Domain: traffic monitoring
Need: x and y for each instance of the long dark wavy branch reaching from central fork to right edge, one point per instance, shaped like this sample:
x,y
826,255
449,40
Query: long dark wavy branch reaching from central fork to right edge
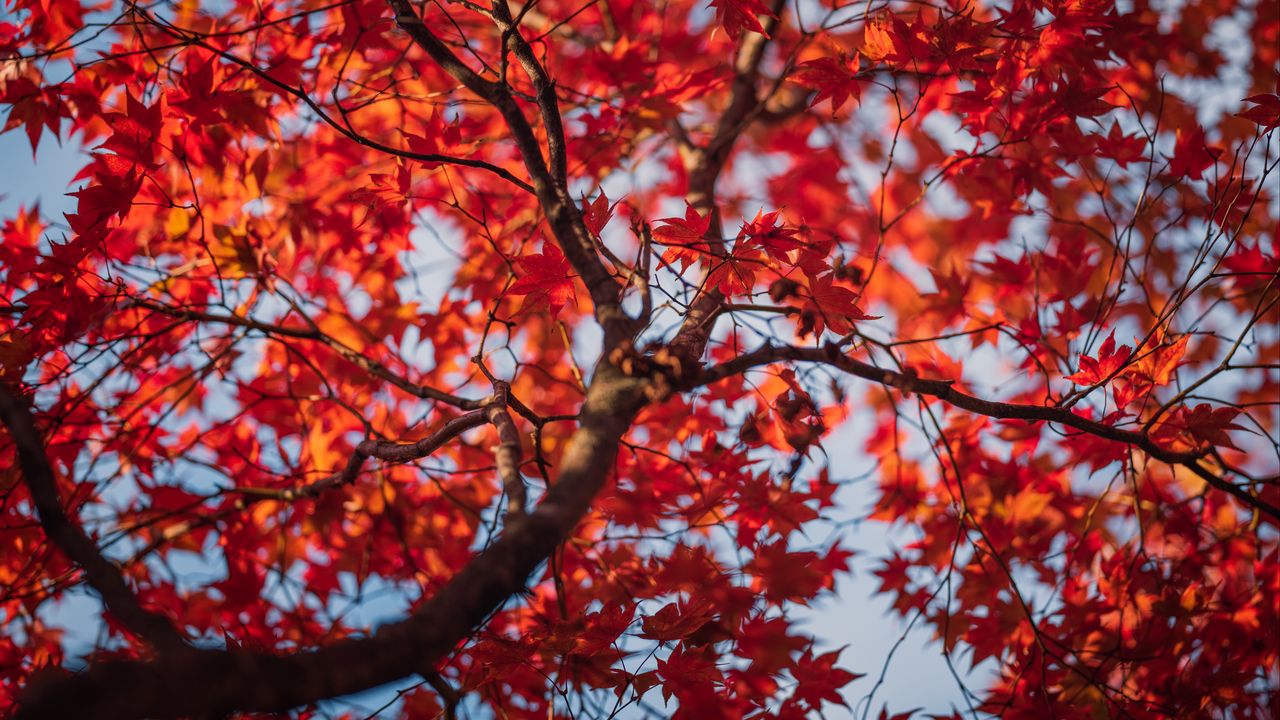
x,y
945,391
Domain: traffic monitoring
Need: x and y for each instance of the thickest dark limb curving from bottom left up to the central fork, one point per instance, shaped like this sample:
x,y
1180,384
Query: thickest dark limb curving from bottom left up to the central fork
x,y
212,682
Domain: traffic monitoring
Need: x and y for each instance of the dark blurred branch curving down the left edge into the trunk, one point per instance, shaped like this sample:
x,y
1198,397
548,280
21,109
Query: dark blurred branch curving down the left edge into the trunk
x,y
67,536
